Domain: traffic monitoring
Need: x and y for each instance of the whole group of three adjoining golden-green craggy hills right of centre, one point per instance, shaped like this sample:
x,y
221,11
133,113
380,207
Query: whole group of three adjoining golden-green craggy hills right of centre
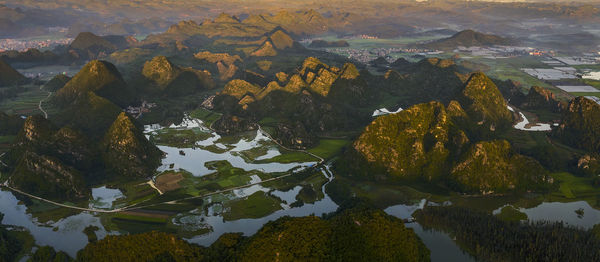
x,y
431,142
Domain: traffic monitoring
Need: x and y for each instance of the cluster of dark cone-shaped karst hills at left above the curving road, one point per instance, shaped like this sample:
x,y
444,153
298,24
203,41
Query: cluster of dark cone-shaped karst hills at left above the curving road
x,y
90,141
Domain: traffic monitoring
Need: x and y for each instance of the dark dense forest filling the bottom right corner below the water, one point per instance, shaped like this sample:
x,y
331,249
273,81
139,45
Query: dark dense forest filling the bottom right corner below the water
x,y
488,238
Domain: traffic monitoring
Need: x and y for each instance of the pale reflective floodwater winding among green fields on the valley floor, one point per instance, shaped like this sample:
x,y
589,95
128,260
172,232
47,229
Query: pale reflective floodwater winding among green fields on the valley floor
x,y
69,230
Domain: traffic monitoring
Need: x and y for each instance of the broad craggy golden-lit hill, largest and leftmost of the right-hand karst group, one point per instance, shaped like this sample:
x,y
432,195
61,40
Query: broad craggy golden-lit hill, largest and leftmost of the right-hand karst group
x,y
419,142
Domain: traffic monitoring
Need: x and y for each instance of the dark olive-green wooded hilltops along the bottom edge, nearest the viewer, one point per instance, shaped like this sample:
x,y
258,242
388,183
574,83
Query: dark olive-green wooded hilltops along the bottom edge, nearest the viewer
x,y
351,235
